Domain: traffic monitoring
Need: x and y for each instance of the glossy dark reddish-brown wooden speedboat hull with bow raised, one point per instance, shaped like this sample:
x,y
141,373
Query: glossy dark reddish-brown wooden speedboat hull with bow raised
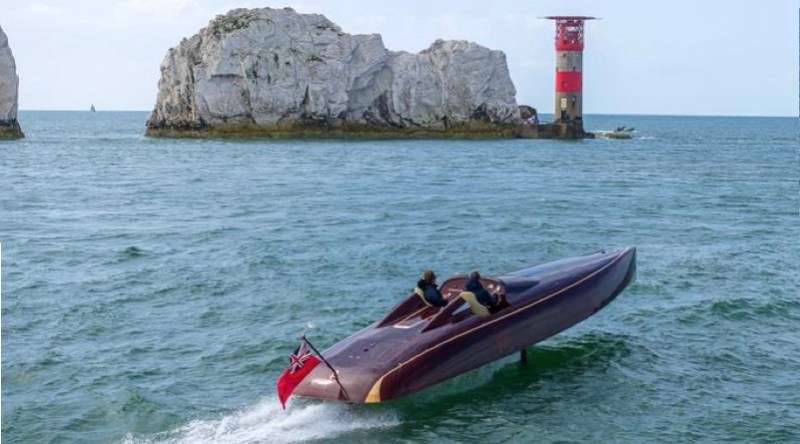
x,y
415,346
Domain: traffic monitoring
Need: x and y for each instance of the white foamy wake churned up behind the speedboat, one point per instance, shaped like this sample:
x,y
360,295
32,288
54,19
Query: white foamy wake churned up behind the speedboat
x,y
266,422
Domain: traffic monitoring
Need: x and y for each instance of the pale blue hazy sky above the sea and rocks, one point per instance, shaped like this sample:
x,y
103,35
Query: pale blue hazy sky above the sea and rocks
x,y
669,57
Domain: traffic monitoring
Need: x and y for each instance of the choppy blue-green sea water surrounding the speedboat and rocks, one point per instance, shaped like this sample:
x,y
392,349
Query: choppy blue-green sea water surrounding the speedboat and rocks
x,y
153,289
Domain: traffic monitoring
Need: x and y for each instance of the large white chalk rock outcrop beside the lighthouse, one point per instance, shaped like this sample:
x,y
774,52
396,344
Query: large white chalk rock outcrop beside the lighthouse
x,y
274,72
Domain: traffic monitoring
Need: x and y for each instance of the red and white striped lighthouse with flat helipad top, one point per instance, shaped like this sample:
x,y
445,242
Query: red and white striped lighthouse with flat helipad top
x,y
569,69
